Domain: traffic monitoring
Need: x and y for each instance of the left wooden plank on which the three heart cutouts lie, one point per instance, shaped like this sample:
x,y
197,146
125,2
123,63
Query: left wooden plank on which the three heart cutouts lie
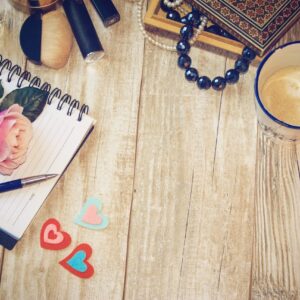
x,y
104,168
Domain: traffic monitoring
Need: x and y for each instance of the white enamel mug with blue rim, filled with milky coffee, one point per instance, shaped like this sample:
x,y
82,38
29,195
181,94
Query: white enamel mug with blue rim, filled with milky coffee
x,y
277,89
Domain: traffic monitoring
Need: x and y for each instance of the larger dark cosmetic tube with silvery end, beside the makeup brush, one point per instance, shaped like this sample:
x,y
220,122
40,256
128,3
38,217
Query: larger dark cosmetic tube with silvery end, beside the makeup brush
x,y
83,29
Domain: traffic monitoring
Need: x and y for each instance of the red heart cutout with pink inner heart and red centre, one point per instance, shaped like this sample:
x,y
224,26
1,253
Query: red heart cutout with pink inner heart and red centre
x,y
51,237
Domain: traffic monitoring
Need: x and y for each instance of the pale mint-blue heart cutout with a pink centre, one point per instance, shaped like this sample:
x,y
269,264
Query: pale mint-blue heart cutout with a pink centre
x,y
91,216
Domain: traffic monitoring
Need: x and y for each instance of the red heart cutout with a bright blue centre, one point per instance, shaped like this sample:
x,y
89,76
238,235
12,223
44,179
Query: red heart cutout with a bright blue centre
x,y
77,262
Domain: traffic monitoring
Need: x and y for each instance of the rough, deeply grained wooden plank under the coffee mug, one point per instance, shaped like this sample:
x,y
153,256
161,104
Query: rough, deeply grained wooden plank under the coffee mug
x,y
276,257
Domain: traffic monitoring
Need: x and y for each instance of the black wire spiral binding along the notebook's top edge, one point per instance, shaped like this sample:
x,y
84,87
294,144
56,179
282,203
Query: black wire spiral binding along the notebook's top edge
x,y
16,70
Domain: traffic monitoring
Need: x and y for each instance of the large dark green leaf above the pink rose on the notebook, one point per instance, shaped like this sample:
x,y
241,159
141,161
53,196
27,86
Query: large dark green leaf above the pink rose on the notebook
x,y
32,99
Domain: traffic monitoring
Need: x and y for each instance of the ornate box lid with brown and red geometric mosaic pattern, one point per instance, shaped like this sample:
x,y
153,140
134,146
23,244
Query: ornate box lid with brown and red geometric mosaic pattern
x,y
258,24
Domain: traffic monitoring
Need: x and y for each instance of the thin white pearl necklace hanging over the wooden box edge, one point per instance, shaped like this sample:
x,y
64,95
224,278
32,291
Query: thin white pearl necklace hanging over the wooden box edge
x,y
170,4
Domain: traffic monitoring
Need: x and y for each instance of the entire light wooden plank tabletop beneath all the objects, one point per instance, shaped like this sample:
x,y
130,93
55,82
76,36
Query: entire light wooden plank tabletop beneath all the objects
x,y
201,204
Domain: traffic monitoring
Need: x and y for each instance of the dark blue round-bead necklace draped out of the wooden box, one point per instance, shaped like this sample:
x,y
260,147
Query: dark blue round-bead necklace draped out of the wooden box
x,y
191,20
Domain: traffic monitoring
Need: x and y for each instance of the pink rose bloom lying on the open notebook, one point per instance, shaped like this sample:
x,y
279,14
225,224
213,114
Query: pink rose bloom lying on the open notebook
x,y
15,135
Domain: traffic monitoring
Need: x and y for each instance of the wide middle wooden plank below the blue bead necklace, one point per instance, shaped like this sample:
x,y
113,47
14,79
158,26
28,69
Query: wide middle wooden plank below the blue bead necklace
x,y
191,227
